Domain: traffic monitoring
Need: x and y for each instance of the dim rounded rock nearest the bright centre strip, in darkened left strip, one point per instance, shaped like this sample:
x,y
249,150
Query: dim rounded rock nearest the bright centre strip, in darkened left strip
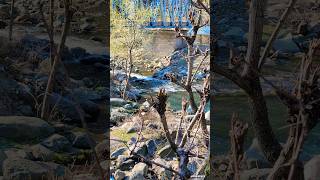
x,y
82,141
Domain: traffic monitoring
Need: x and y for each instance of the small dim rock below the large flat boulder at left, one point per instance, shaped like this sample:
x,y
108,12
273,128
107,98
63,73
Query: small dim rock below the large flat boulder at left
x,y
41,153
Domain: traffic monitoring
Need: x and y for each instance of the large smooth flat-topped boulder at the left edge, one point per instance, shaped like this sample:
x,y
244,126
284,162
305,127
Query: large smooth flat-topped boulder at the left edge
x,y
22,128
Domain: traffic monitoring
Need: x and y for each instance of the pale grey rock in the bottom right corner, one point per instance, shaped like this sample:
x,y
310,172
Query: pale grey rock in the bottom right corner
x,y
311,169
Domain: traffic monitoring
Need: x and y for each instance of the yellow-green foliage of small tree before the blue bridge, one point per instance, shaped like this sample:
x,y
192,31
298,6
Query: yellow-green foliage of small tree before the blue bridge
x,y
127,32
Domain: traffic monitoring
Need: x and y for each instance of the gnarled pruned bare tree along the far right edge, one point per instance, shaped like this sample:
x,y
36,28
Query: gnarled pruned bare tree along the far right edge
x,y
303,104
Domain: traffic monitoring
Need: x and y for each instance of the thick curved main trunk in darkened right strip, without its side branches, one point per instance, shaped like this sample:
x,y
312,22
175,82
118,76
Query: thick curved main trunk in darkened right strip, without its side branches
x,y
260,121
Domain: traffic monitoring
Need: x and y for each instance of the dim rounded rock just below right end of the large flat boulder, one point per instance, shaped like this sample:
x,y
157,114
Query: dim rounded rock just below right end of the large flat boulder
x,y
57,143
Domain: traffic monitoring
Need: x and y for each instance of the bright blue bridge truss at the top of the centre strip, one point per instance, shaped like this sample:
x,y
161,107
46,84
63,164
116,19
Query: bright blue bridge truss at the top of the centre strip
x,y
164,13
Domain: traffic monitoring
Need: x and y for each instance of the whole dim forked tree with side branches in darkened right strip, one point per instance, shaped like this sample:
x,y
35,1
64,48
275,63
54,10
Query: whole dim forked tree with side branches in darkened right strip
x,y
246,74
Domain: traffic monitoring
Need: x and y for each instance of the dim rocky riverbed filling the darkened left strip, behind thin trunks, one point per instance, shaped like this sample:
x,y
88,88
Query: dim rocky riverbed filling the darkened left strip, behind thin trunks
x,y
58,147
